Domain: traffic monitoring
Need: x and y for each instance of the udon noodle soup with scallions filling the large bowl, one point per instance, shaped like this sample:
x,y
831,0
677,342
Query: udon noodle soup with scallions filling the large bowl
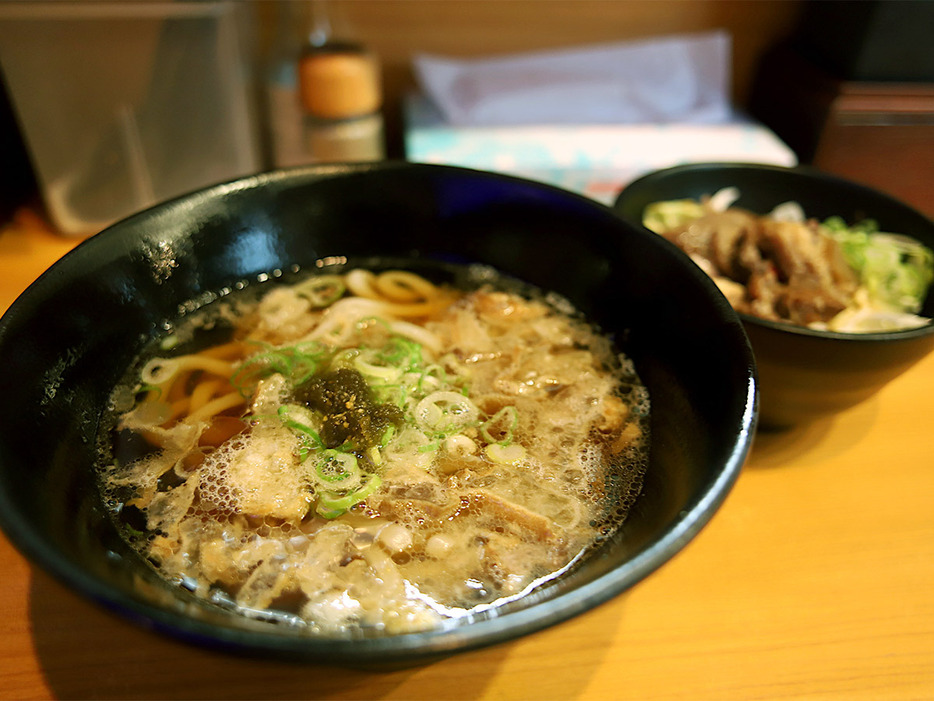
x,y
375,451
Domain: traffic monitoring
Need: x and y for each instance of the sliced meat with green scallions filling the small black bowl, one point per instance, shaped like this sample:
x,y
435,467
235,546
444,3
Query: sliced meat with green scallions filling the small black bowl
x,y
786,267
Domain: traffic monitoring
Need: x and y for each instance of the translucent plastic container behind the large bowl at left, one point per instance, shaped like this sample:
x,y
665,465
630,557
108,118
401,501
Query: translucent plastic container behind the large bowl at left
x,y
125,104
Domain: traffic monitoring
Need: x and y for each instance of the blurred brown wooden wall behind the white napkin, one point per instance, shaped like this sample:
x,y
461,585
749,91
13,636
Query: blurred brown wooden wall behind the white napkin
x,y
398,29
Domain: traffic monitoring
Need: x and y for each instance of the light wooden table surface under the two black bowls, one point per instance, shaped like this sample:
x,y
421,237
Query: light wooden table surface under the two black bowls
x,y
815,580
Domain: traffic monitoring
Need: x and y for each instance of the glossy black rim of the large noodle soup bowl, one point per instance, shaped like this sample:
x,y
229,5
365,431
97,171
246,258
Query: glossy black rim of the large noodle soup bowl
x,y
408,647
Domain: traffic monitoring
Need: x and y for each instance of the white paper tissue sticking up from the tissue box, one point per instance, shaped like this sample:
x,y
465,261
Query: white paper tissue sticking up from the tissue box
x,y
684,78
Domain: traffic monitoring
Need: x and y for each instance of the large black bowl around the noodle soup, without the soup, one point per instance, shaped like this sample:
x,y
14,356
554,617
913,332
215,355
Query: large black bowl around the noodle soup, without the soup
x,y
71,335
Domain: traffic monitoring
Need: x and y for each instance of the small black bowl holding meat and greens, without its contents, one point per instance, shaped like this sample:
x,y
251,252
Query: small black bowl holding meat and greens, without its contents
x,y
803,374
